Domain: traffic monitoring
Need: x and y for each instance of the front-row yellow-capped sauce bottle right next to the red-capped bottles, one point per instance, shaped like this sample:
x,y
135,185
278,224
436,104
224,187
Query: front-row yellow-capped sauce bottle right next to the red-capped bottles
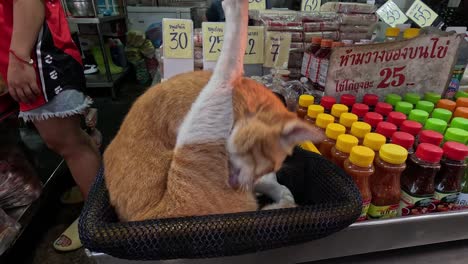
x,y
385,183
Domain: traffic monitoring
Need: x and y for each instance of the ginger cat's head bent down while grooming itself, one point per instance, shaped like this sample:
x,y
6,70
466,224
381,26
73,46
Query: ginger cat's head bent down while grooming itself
x,y
258,146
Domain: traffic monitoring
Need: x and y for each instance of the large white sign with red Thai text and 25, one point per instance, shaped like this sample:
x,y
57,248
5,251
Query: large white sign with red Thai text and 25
x,y
419,65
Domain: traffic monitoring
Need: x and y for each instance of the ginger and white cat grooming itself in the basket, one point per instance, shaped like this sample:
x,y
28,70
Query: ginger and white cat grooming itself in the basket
x,y
197,143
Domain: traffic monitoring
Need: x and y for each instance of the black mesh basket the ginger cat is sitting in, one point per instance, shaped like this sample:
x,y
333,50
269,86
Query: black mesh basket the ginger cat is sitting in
x,y
328,198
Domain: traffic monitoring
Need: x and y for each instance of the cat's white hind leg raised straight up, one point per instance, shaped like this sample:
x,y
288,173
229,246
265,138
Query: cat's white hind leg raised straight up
x,y
211,117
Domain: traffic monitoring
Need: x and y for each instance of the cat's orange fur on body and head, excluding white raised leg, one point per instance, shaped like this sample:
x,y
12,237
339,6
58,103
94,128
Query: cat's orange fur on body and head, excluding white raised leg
x,y
147,178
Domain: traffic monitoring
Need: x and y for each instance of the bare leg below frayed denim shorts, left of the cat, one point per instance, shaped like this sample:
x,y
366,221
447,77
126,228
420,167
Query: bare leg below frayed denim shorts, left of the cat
x,y
65,137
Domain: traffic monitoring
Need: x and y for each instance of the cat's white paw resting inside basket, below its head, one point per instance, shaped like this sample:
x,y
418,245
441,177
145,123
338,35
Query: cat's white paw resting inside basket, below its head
x,y
268,185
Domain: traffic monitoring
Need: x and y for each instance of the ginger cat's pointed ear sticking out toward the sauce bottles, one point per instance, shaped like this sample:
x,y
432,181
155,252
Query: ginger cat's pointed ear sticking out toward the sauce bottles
x,y
297,131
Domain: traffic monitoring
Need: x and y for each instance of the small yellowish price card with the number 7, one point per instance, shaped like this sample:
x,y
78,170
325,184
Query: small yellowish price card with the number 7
x,y
277,46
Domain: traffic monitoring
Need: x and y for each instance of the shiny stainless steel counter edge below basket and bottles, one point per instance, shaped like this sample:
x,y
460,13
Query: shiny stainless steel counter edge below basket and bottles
x,y
359,238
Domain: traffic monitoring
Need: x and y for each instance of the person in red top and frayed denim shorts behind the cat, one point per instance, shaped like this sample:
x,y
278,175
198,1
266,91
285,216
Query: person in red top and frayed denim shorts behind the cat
x,y
43,72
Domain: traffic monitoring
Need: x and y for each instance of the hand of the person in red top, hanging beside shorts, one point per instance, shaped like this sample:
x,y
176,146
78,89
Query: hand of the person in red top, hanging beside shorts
x,y
22,84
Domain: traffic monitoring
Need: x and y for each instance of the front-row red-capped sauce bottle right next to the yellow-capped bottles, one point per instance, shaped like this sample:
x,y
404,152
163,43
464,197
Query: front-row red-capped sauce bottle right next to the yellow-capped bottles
x,y
417,181
